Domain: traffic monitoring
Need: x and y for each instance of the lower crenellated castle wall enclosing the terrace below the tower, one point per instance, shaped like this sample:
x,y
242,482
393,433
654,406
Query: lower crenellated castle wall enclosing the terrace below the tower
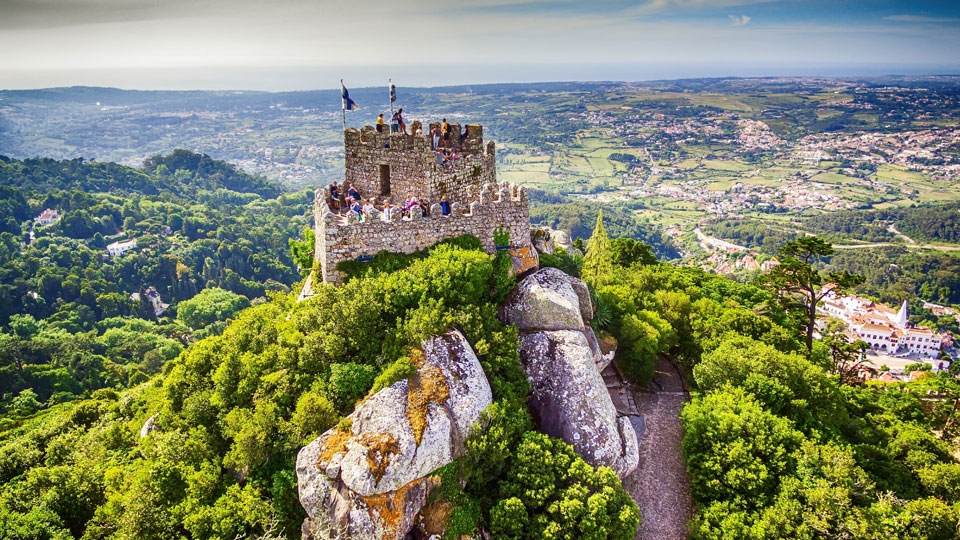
x,y
341,238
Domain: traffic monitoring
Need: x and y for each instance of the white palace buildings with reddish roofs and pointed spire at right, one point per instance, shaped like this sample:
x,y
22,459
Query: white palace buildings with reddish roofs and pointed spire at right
x,y
884,329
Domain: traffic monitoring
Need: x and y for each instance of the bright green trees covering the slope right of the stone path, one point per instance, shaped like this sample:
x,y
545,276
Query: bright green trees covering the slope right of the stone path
x,y
779,442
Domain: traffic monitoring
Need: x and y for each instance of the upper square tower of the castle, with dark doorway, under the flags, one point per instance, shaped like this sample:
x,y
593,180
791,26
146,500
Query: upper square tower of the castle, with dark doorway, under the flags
x,y
413,166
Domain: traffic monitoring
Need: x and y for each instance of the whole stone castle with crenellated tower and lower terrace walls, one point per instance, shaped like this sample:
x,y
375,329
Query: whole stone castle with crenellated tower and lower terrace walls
x,y
389,167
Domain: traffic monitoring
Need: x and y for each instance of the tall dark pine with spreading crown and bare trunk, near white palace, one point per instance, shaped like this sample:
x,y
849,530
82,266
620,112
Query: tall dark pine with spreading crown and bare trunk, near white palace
x,y
800,286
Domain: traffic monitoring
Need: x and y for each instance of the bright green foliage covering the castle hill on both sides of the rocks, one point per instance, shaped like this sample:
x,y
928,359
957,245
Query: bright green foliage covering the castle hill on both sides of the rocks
x,y
777,446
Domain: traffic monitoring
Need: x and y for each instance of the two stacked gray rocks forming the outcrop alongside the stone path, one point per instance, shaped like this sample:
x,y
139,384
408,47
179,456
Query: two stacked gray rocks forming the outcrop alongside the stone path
x,y
561,355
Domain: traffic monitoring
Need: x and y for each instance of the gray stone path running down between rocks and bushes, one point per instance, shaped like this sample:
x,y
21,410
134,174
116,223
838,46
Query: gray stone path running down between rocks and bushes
x,y
660,484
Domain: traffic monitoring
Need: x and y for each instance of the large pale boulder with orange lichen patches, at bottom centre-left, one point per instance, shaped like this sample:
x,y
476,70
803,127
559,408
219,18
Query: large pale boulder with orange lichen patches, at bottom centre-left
x,y
371,480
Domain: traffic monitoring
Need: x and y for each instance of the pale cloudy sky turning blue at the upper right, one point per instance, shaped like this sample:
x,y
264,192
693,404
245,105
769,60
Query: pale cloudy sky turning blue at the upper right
x,y
310,44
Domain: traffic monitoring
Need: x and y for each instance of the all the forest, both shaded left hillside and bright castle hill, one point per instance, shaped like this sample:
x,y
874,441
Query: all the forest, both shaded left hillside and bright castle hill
x,y
238,376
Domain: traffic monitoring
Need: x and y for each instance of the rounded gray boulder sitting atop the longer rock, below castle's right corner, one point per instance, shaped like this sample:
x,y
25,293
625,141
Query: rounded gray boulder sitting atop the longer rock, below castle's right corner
x,y
544,300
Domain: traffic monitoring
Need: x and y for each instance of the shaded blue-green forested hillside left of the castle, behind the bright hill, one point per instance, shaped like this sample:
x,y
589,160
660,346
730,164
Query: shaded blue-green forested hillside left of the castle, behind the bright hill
x,y
74,319
